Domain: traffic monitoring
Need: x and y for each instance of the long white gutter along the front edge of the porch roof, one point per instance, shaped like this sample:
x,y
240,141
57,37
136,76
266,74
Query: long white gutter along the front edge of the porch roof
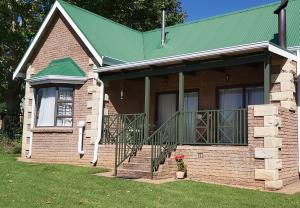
x,y
179,58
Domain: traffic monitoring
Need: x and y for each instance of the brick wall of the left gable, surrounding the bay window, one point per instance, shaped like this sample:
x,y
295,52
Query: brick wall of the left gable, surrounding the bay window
x,y
61,41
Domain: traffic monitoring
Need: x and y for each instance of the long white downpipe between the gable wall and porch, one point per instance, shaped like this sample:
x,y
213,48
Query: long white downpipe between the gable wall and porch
x,y
100,118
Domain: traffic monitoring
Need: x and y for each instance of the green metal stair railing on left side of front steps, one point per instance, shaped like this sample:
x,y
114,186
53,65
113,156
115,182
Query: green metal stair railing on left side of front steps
x,y
128,137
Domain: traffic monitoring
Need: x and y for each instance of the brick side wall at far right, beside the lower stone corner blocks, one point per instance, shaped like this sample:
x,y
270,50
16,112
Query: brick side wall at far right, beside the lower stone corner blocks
x,y
289,151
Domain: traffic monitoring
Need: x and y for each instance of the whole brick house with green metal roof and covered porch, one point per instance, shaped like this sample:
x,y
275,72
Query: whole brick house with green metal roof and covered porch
x,y
221,91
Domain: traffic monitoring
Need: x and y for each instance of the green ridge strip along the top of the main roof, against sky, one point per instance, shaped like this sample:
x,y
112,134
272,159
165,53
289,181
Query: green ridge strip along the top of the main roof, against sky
x,y
220,16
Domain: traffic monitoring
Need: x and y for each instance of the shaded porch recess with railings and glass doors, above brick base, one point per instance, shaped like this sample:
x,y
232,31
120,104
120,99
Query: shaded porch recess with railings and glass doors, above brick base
x,y
199,107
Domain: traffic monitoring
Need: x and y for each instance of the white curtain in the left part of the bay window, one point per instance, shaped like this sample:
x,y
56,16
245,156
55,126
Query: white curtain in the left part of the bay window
x,y
47,107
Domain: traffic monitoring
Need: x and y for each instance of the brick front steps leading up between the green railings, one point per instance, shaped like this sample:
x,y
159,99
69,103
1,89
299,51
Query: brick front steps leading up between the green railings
x,y
139,166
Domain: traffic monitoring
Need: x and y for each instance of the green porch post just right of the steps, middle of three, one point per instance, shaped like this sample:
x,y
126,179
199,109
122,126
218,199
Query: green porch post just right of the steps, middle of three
x,y
181,107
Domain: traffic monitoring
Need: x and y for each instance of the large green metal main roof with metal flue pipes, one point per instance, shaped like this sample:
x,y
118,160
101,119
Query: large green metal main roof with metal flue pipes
x,y
119,42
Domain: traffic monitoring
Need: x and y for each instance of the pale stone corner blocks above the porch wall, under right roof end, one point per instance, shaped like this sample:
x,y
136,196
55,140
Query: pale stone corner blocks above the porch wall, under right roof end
x,y
285,79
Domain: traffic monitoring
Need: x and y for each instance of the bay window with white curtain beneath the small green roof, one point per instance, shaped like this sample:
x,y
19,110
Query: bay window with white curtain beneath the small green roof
x,y
54,106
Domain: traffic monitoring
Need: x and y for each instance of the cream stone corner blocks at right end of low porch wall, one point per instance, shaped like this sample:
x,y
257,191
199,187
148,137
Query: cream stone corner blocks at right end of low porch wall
x,y
272,144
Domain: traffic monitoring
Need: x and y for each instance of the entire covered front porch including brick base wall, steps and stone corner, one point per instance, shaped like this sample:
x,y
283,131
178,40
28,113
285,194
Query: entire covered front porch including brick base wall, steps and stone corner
x,y
204,109
